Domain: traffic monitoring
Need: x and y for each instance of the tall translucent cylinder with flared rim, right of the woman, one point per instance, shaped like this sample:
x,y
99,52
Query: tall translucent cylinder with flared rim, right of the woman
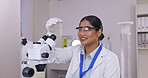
x,y
125,54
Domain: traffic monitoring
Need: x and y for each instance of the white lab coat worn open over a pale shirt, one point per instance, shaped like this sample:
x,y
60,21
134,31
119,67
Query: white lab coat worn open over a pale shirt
x,y
106,65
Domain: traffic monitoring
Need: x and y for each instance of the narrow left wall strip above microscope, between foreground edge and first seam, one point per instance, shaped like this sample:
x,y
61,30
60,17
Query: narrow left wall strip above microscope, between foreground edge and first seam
x,y
27,19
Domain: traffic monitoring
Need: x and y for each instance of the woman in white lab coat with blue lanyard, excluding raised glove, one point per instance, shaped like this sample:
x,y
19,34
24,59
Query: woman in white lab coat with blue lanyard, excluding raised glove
x,y
90,59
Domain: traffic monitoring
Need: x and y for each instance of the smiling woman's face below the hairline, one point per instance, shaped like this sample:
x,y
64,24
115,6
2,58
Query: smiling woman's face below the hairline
x,y
88,37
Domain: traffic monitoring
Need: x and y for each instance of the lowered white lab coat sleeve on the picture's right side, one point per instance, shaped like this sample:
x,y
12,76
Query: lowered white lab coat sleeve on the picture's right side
x,y
112,69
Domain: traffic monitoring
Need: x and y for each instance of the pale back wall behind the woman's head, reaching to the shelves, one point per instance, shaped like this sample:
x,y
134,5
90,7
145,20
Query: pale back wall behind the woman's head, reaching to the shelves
x,y
110,11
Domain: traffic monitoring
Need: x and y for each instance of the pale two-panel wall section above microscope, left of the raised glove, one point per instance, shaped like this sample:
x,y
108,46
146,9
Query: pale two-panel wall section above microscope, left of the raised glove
x,y
35,13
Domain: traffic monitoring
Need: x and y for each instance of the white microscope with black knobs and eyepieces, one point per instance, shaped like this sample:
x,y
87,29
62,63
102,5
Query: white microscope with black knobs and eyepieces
x,y
36,54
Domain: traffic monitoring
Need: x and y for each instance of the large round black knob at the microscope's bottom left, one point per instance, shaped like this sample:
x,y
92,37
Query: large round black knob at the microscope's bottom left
x,y
28,72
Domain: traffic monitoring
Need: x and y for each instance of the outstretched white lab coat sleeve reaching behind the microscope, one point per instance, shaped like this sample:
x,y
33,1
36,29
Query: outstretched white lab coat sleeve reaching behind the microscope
x,y
62,55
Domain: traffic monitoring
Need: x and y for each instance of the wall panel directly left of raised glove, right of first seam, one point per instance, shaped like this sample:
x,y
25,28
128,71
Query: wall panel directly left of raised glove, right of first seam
x,y
40,16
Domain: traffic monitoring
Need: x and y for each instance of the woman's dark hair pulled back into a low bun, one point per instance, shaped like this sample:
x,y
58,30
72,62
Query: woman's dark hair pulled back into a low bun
x,y
94,21
